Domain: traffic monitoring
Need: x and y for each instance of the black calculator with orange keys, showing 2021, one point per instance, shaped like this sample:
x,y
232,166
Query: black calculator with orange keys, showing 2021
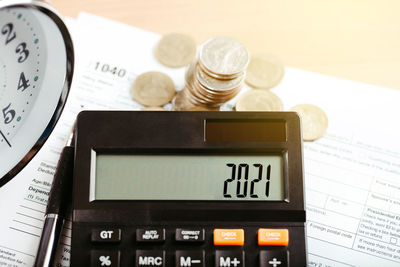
x,y
188,189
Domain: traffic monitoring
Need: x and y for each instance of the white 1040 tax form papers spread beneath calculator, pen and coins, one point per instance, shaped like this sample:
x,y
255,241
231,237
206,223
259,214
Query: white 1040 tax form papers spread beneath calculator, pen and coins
x,y
352,174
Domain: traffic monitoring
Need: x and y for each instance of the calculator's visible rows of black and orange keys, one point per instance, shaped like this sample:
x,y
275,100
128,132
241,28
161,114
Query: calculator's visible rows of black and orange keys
x,y
152,247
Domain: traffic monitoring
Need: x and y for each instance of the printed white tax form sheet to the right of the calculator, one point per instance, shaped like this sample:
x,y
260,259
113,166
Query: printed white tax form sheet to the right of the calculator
x,y
352,174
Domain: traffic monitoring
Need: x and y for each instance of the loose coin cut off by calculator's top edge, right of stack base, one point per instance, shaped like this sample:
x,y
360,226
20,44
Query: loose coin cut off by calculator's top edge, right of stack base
x,y
259,100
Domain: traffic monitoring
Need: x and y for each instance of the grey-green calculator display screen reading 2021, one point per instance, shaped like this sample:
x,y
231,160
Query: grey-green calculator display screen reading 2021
x,y
187,177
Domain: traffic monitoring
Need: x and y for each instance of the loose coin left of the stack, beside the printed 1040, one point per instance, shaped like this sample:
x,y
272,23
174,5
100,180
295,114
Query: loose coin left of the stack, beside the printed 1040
x,y
153,89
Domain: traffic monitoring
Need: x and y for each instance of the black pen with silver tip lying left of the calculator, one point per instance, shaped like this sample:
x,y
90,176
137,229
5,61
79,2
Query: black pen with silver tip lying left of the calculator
x,y
59,199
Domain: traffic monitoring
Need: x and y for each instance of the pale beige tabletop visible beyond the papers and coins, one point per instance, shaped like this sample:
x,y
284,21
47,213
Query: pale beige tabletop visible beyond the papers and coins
x,y
357,39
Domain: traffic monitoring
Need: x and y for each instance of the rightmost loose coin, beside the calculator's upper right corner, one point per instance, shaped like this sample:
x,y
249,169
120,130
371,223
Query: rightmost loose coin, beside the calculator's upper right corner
x,y
313,119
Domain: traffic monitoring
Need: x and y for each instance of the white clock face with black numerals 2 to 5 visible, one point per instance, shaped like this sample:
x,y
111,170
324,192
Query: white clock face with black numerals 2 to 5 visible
x,y
33,74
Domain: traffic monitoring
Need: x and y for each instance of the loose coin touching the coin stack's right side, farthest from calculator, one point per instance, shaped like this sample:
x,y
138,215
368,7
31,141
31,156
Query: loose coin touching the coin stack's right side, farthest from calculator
x,y
264,71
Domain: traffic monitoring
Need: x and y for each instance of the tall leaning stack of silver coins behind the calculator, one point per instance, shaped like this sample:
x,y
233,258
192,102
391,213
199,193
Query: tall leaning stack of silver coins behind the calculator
x,y
216,77
